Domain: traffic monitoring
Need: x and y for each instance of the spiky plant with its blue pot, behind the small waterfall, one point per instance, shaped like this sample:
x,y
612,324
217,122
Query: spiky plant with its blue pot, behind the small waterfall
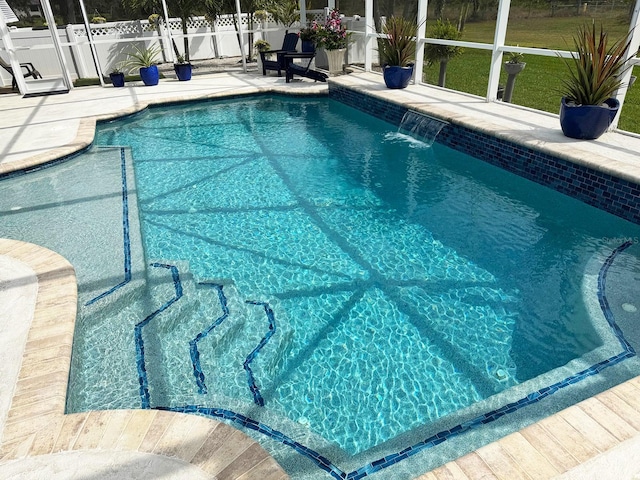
x,y
397,51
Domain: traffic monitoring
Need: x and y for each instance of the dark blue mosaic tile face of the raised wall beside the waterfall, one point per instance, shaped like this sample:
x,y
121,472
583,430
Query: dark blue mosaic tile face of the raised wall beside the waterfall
x,y
611,194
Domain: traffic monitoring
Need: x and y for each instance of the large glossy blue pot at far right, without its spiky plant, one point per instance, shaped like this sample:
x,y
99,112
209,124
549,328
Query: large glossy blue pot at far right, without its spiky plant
x,y
587,122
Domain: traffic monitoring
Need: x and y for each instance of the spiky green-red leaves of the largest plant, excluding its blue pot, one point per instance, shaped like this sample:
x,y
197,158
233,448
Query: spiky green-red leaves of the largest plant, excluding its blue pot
x,y
595,68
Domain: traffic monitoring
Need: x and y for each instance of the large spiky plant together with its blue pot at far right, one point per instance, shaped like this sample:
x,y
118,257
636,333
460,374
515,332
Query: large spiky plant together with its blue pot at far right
x,y
595,69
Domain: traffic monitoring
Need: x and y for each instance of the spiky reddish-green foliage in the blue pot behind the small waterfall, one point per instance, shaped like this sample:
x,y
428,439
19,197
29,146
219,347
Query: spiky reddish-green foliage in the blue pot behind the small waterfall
x,y
399,47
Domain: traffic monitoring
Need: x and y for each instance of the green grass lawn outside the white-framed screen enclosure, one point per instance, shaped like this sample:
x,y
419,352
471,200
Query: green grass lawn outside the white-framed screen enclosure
x,y
538,86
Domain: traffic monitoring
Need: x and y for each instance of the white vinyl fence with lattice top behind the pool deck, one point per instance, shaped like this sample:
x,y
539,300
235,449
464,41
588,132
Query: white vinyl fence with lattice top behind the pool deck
x,y
114,39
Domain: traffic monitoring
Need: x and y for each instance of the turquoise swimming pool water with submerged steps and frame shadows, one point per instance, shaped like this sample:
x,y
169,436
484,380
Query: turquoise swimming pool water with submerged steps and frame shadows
x,y
351,249
